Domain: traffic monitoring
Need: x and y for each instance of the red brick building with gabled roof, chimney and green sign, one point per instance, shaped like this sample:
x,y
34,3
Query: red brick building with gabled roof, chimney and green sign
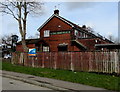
x,y
59,34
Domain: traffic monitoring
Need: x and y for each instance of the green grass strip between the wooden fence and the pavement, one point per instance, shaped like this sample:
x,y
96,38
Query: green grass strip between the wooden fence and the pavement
x,y
92,79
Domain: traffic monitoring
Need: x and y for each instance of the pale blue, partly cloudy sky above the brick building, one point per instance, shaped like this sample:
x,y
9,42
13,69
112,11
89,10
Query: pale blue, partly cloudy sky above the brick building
x,y
101,16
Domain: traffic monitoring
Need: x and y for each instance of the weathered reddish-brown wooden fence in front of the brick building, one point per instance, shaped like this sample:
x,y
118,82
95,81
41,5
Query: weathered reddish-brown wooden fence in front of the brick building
x,y
106,62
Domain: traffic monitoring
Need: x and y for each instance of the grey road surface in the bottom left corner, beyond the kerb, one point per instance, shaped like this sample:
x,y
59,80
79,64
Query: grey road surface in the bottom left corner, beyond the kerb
x,y
11,84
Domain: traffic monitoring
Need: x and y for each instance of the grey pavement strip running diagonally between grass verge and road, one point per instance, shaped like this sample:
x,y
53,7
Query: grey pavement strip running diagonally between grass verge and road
x,y
54,84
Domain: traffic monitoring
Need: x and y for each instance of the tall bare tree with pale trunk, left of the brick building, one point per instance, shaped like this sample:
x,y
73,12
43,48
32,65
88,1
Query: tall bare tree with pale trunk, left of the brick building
x,y
20,9
